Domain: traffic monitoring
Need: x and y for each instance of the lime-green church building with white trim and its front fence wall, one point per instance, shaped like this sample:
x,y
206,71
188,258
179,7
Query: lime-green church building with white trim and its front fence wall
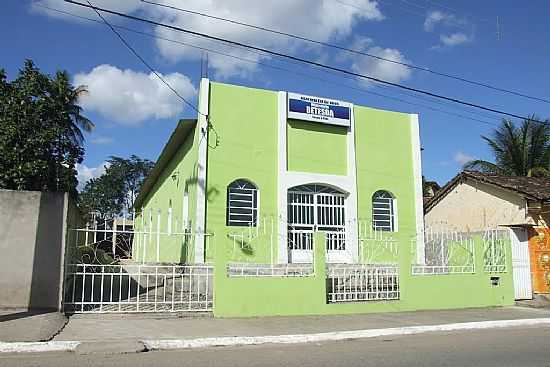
x,y
290,204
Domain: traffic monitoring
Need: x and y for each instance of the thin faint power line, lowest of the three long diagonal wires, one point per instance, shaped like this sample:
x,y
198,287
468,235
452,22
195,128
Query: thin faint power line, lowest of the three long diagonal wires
x,y
305,75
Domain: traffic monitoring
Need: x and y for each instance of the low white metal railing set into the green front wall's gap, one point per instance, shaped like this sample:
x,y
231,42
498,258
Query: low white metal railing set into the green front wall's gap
x,y
354,283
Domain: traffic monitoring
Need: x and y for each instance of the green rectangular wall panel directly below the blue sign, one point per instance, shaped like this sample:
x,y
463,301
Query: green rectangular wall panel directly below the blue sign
x,y
317,148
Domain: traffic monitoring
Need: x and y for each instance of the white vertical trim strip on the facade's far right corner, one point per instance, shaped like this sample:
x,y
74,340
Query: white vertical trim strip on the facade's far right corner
x,y
418,197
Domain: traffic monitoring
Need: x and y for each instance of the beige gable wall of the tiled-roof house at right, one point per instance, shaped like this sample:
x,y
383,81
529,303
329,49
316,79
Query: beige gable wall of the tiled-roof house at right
x,y
473,206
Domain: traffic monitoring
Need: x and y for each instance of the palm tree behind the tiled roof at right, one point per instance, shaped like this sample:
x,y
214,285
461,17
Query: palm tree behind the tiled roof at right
x,y
518,151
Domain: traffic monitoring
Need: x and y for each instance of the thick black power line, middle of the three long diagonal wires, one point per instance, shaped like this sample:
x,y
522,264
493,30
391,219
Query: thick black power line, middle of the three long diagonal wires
x,y
305,61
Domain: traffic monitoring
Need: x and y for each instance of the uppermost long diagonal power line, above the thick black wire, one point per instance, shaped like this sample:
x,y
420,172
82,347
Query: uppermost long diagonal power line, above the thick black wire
x,y
341,48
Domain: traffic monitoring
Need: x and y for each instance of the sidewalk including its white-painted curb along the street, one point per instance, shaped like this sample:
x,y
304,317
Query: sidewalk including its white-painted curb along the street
x,y
109,333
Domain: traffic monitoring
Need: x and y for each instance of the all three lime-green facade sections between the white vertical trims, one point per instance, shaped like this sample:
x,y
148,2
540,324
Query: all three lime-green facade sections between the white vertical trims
x,y
245,127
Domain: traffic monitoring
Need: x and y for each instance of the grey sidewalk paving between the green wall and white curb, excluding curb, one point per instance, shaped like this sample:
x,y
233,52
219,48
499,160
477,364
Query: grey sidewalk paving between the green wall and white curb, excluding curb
x,y
140,327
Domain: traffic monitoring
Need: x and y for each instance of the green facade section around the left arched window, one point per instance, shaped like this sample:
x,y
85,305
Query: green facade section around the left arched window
x,y
244,123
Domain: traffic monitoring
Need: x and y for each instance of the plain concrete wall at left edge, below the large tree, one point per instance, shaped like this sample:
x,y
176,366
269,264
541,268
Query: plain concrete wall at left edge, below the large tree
x,y
33,227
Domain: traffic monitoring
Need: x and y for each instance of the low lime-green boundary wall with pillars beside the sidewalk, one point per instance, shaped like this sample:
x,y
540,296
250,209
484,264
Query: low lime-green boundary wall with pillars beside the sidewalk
x,y
249,297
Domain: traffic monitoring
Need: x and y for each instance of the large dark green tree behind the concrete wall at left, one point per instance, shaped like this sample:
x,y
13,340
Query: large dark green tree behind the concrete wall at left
x,y
41,127
